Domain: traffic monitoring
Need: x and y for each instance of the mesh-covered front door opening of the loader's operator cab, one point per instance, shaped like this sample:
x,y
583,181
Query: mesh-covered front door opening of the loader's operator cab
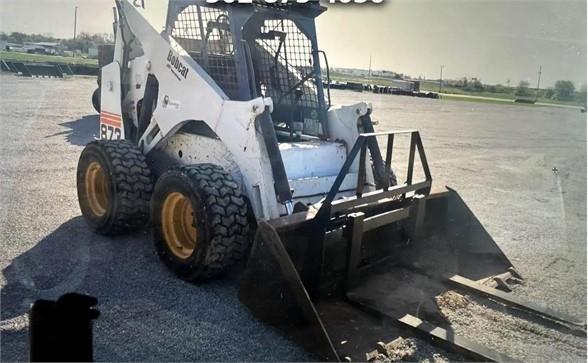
x,y
286,64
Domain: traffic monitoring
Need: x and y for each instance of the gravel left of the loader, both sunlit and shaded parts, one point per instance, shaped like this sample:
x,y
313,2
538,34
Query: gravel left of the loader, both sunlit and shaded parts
x,y
47,250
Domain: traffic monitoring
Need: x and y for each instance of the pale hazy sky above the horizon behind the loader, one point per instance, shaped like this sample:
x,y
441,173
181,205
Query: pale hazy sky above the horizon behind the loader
x,y
495,40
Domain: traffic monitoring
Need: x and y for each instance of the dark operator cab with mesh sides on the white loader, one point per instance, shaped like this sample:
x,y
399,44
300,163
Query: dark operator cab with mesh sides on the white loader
x,y
260,50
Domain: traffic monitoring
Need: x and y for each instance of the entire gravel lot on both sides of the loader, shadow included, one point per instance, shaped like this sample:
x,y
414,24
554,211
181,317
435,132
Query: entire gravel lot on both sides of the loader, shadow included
x,y
521,169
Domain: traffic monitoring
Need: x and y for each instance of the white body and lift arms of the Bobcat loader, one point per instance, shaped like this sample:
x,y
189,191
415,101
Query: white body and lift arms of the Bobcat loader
x,y
187,93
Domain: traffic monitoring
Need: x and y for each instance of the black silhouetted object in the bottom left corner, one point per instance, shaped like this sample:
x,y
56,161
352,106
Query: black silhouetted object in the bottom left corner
x,y
61,331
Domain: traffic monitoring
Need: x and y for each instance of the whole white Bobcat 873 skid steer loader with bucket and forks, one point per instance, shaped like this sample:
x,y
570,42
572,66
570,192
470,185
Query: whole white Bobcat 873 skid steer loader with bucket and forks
x,y
220,132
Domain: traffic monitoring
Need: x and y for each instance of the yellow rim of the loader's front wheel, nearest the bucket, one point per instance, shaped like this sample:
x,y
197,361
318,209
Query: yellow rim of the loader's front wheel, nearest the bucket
x,y
179,225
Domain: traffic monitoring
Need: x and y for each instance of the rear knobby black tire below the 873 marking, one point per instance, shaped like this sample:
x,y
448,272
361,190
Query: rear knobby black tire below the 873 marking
x,y
128,186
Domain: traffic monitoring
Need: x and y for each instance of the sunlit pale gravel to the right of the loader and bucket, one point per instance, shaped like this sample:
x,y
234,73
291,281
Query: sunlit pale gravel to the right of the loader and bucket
x,y
501,161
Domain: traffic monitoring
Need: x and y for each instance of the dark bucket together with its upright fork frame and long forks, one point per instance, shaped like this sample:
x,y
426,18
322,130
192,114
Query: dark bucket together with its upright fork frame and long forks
x,y
349,273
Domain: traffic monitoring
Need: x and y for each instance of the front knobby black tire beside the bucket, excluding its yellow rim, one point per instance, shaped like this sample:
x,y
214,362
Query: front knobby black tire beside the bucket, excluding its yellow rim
x,y
220,216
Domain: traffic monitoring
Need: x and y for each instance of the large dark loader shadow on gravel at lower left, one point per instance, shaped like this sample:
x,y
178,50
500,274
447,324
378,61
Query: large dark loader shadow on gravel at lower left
x,y
146,313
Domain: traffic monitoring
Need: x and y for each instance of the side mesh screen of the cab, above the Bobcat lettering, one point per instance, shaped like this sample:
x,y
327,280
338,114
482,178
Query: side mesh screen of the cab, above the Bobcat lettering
x,y
205,34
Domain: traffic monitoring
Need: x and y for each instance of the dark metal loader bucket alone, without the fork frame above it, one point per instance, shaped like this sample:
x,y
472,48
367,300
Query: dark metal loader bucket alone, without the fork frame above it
x,y
338,298
